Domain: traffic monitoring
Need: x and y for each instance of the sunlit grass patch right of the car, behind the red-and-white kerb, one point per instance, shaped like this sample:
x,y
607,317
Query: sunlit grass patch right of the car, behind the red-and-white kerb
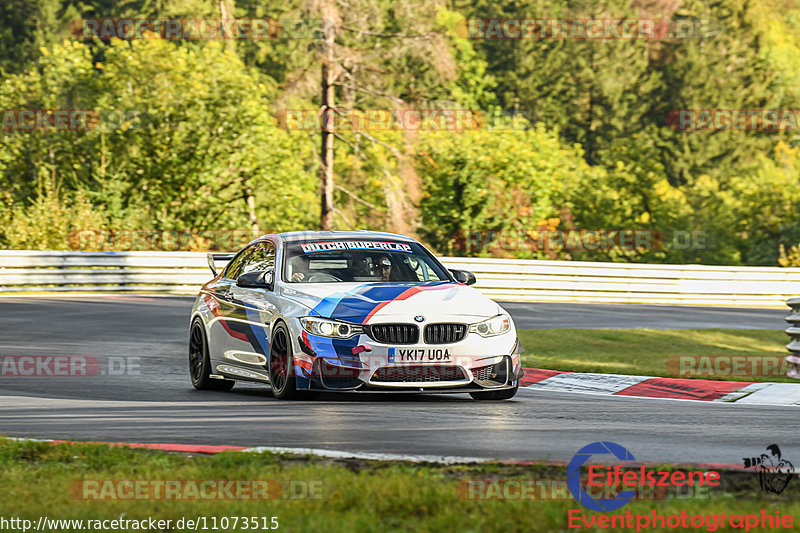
x,y
649,351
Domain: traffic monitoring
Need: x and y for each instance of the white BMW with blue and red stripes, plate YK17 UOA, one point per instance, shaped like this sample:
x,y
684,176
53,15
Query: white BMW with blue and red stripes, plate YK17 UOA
x,y
349,311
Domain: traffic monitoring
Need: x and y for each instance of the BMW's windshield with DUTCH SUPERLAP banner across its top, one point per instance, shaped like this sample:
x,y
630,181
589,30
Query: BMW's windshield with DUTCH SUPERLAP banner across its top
x,y
321,261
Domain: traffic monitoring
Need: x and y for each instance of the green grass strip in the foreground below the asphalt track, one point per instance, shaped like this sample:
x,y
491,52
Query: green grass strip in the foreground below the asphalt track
x,y
356,495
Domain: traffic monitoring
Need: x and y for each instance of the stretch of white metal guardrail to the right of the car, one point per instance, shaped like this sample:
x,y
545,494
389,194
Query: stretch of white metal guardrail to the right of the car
x,y
579,281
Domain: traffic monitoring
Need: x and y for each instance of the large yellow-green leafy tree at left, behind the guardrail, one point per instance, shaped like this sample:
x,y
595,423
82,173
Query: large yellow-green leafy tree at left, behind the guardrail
x,y
182,133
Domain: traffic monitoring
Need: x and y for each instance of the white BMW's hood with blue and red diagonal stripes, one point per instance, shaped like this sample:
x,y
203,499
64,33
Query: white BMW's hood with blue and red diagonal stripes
x,y
379,302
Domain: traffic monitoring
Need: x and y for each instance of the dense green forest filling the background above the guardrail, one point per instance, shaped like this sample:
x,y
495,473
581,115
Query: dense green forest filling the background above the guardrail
x,y
192,133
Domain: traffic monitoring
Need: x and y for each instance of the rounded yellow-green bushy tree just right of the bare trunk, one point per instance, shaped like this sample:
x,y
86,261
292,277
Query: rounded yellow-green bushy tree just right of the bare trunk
x,y
508,182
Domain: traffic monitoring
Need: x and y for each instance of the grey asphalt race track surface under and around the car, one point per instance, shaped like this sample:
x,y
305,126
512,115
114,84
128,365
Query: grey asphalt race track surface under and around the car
x,y
151,399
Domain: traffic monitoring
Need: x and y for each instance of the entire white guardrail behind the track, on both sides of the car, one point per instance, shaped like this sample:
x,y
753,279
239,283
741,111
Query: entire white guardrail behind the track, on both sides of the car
x,y
501,279
